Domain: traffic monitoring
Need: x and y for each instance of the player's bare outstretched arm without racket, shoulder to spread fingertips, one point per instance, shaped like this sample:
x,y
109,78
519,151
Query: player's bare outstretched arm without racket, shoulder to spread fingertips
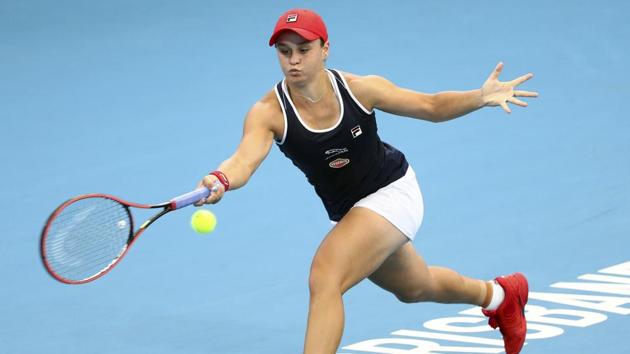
x,y
377,92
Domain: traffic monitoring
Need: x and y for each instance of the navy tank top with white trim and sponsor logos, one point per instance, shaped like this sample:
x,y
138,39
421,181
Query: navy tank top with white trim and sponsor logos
x,y
346,162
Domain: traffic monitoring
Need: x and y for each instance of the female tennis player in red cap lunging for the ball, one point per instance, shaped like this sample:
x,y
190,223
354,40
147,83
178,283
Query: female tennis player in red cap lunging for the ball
x,y
324,122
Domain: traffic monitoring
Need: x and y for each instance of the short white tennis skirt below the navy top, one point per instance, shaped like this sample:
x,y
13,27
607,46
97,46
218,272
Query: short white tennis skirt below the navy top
x,y
400,202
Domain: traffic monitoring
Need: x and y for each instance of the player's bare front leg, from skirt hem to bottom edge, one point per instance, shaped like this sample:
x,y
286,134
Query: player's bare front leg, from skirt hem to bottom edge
x,y
351,251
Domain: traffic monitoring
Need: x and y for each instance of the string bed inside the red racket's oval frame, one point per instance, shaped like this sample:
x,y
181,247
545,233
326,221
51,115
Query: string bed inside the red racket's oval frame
x,y
87,237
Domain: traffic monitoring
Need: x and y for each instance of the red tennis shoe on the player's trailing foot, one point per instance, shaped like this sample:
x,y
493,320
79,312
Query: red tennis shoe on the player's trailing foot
x,y
510,315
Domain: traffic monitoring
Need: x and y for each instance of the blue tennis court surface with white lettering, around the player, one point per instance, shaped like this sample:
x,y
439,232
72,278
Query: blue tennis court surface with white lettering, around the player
x,y
140,99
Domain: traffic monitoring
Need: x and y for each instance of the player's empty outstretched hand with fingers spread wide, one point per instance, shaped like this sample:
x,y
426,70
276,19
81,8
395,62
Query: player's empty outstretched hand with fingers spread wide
x,y
498,93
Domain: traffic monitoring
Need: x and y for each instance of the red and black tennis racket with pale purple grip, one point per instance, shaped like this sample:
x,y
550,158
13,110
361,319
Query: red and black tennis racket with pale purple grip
x,y
88,235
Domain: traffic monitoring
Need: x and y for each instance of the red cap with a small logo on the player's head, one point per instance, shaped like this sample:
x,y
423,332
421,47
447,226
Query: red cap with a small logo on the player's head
x,y
306,23
